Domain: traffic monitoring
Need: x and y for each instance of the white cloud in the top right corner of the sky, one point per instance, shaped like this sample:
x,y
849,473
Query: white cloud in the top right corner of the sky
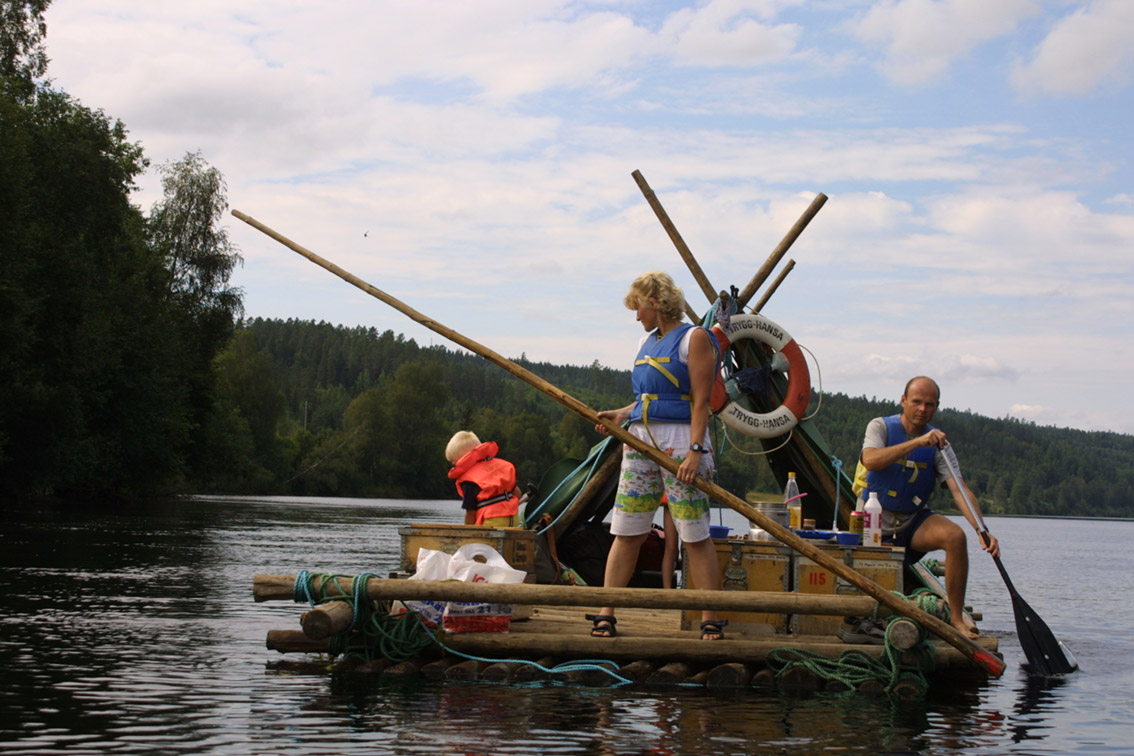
x,y
1087,48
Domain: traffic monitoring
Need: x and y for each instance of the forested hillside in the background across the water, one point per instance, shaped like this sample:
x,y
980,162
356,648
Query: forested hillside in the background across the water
x,y
324,410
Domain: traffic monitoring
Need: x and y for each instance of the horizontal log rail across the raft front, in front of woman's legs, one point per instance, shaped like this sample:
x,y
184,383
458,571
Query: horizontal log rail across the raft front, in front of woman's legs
x,y
280,588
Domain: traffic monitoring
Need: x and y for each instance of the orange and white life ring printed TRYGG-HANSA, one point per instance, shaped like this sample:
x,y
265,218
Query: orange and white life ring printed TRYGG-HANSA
x,y
780,421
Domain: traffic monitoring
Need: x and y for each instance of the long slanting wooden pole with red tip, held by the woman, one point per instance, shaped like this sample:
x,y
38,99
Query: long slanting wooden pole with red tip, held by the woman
x,y
981,657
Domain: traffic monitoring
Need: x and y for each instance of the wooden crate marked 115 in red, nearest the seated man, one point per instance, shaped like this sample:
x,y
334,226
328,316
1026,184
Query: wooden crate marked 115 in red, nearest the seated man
x,y
883,566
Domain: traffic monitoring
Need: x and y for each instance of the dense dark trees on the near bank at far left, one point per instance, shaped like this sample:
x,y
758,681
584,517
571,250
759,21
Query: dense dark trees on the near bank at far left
x,y
106,369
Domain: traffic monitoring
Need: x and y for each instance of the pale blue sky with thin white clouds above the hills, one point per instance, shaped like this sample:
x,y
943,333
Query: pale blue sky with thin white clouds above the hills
x,y
473,159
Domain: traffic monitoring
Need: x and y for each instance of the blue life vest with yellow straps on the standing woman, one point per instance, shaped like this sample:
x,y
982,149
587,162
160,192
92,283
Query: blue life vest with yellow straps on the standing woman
x,y
662,381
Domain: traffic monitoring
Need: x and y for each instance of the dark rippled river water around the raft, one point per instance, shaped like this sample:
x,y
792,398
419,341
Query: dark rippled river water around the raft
x,y
134,632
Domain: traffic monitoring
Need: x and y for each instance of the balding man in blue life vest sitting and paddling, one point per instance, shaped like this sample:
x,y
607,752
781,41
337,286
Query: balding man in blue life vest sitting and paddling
x,y
903,468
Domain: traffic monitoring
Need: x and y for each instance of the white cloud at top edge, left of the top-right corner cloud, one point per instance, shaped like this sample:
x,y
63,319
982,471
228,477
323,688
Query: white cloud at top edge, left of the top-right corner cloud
x,y
921,39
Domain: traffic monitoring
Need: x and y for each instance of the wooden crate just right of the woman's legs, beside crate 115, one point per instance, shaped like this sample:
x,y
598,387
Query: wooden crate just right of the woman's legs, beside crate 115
x,y
747,566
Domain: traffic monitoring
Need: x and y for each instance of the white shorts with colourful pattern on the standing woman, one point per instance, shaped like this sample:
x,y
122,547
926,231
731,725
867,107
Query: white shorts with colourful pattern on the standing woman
x,y
641,485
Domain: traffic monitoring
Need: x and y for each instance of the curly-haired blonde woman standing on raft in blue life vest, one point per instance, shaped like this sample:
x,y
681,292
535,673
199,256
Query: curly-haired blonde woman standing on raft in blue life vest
x,y
673,378
